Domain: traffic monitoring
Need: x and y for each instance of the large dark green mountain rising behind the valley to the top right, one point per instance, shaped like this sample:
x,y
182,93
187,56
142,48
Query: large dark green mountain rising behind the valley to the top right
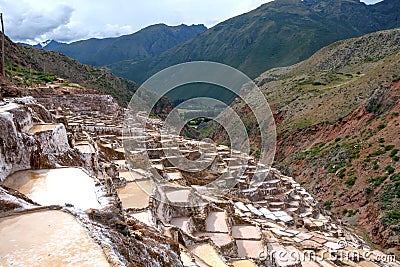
x,y
278,33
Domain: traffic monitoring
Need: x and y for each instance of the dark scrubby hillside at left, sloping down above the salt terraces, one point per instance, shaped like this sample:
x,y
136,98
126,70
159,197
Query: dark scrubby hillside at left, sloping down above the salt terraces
x,y
31,66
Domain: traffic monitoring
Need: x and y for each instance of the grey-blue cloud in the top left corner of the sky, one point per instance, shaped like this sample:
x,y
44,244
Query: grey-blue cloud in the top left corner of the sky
x,y
25,22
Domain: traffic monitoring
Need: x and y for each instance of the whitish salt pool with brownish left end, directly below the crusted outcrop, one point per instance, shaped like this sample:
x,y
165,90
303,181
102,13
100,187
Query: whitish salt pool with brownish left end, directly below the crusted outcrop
x,y
56,187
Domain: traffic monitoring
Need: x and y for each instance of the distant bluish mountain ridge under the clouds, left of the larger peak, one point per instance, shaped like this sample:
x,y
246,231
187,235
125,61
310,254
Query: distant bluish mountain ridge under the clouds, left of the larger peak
x,y
146,43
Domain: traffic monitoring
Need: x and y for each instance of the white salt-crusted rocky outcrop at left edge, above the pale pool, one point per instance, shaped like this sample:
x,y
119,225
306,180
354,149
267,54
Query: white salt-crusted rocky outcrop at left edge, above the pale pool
x,y
26,141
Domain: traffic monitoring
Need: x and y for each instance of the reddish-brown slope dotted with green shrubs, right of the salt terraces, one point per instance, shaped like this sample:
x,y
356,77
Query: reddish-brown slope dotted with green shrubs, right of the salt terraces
x,y
338,128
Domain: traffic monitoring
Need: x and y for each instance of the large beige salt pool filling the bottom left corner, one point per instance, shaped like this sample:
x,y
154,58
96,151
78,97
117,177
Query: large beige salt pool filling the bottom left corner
x,y
48,238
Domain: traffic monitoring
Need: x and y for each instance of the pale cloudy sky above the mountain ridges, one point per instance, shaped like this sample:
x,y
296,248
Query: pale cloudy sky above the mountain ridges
x,y
33,21
